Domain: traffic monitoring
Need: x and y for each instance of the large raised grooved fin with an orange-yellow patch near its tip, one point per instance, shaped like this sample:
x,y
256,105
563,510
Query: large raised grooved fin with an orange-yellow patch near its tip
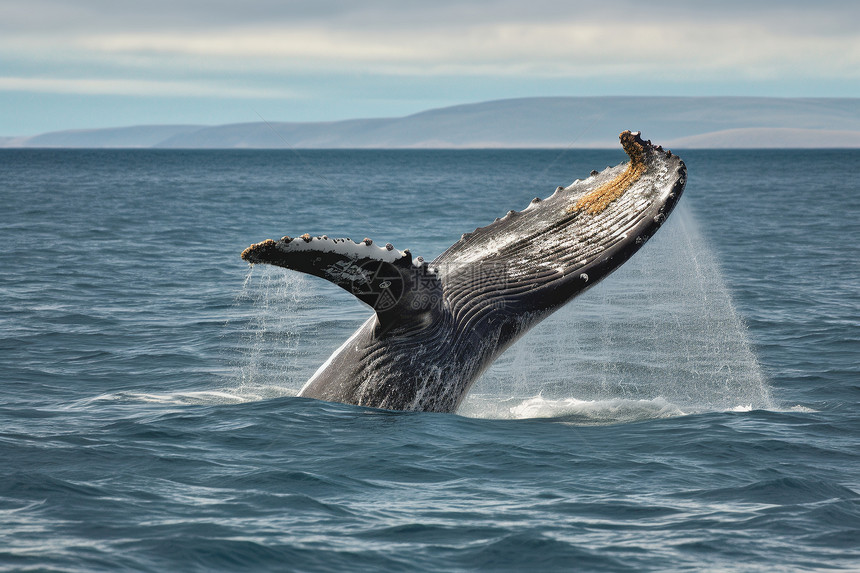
x,y
534,260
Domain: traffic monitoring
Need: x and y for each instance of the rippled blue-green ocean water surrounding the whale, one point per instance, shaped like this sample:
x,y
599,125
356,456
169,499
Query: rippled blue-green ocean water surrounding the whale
x,y
698,410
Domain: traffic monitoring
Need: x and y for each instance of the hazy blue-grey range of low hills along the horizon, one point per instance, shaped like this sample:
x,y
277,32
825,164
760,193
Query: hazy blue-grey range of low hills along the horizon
x,y
553,122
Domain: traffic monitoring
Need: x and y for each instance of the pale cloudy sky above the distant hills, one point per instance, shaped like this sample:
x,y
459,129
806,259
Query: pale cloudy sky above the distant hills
x,y
67,64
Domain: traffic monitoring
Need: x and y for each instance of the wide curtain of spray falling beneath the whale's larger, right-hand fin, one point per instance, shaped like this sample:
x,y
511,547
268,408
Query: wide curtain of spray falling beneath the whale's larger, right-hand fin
x,y
661,337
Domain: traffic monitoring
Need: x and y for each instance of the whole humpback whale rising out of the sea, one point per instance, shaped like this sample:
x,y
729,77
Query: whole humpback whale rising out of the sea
x,y
438,325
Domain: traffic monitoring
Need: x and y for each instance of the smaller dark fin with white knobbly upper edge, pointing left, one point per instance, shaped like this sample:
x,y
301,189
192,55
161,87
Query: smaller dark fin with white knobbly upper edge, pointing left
x,y
386,279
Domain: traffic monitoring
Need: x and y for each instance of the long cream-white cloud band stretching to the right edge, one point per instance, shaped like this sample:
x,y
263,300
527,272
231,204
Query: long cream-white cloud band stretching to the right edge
x,y
508,48
